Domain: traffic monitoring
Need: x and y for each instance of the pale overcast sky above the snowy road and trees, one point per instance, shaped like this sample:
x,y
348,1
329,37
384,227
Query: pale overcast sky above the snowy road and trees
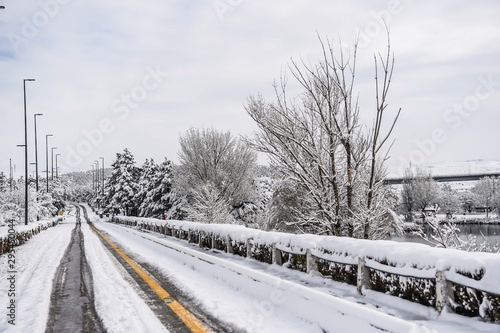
x,y
126,74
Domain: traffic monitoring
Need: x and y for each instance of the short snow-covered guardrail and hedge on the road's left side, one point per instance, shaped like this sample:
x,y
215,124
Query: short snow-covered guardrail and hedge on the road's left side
x,y
10,238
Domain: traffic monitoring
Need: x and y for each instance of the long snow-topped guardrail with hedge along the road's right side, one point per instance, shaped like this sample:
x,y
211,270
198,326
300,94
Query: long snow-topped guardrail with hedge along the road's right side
x,y
468,283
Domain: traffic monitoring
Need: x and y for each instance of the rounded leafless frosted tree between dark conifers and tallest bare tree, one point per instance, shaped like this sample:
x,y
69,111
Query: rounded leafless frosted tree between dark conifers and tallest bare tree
x,y
217,164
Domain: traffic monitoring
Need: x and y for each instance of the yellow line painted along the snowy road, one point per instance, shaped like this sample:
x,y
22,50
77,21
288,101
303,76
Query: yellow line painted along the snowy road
x,y
189,320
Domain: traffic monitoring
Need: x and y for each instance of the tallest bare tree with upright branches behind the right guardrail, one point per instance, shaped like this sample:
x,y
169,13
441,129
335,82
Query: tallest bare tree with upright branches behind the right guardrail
x,y
318,140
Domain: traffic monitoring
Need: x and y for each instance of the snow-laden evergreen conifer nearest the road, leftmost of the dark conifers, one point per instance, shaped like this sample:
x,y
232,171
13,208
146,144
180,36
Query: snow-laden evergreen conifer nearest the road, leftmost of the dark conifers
x,y
123,183
